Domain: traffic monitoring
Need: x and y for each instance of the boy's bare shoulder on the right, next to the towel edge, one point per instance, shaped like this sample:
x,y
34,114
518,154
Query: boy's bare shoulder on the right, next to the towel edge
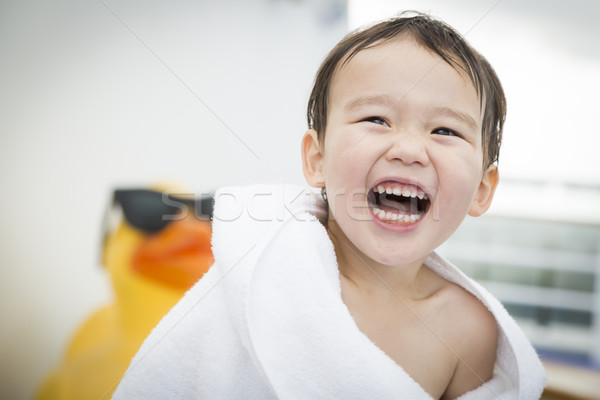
x,y
472,332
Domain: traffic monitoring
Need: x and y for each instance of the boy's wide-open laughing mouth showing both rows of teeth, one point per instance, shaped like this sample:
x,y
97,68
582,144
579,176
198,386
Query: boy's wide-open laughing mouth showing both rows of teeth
x,y
398,203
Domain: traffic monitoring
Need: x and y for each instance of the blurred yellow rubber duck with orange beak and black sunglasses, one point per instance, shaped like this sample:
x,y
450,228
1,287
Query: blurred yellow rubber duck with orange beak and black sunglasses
x,y
152,261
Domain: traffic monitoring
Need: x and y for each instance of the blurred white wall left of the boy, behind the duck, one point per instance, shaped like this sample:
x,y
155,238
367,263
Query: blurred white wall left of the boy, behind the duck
x,y
97,94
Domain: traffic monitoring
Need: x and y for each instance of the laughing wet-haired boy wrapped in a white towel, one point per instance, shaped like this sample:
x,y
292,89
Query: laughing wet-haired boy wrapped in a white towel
x,y
347,299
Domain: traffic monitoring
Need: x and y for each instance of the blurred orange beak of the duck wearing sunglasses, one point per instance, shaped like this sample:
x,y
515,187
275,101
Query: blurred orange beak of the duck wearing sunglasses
x,y
178,255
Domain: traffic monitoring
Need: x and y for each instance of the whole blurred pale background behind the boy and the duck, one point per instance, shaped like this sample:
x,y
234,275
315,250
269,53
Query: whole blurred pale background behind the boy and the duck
x,y
98,94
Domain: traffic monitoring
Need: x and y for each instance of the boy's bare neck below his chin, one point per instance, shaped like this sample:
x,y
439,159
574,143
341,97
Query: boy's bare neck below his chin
x,y
409,281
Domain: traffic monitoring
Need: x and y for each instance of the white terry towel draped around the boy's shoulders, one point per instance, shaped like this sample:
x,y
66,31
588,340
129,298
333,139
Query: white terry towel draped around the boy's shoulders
x,y
268,322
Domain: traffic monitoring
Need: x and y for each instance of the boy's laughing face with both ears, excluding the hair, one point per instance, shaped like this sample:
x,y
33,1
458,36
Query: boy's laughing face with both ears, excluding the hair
x,y
402,157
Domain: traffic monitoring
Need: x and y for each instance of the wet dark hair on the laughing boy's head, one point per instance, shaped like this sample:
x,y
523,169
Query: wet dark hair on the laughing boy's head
x,y
435,36
